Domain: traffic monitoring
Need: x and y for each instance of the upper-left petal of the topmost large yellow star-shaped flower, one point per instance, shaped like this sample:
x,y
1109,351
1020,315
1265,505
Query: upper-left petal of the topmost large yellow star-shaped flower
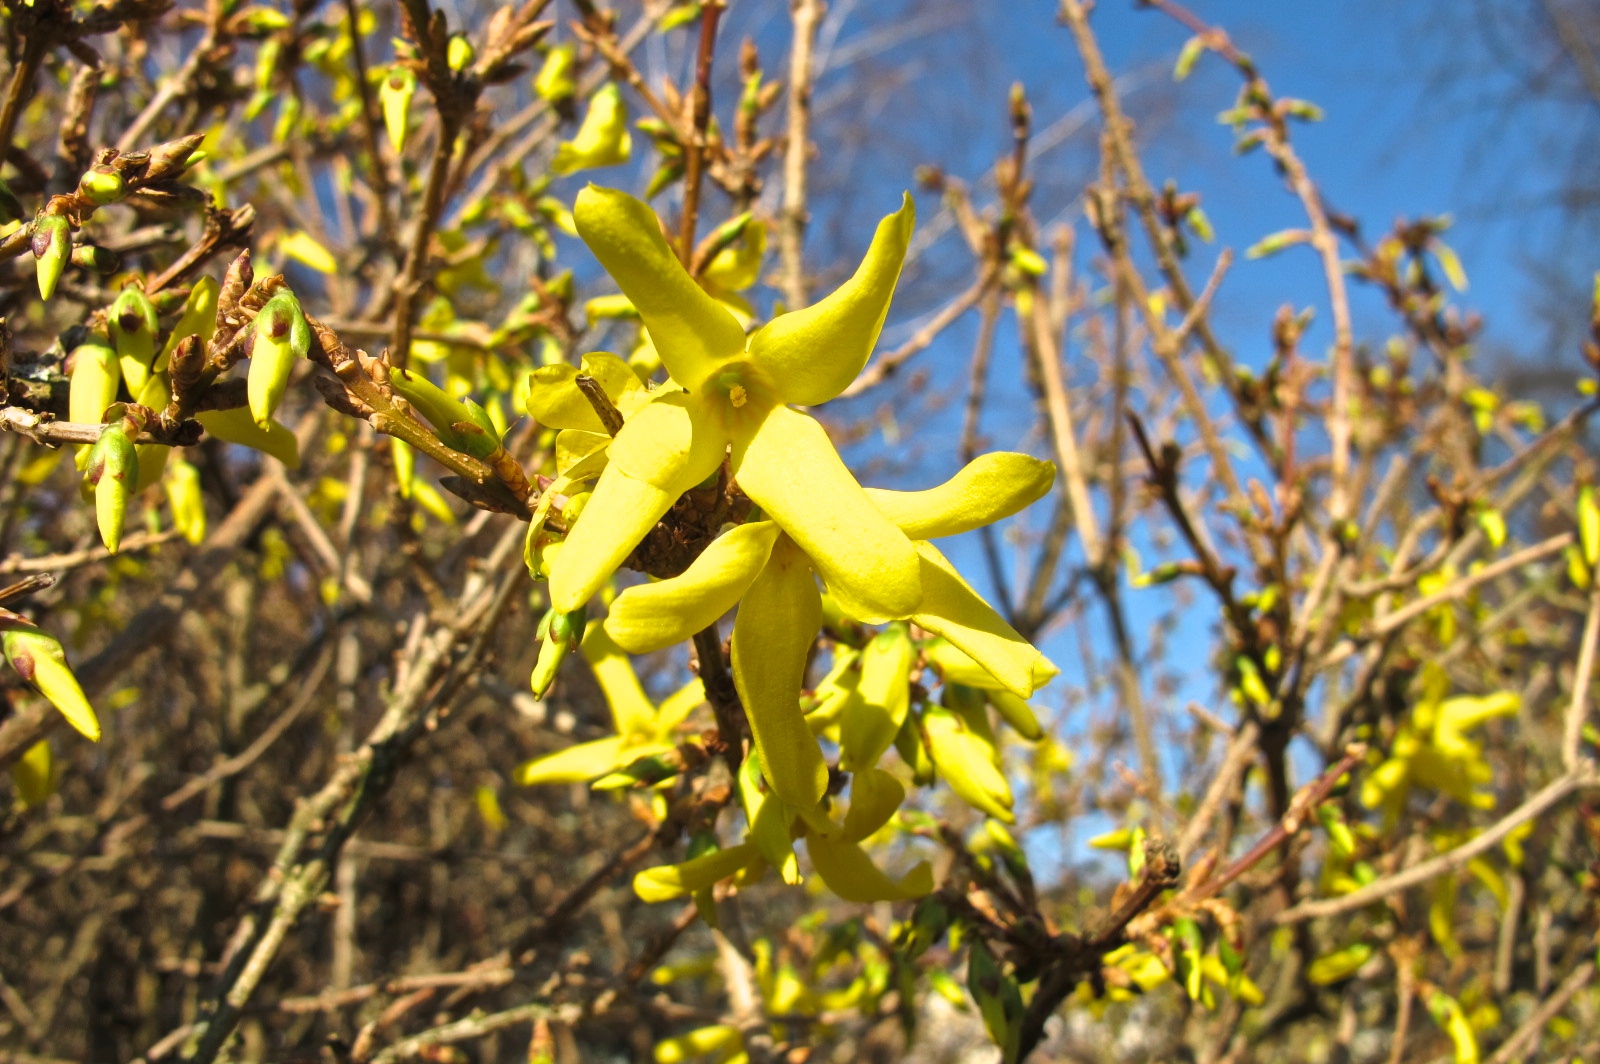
x,y
694,335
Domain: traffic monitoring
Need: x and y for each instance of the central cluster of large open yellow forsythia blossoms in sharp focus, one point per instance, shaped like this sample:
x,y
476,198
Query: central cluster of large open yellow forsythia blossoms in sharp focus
x,y
732,406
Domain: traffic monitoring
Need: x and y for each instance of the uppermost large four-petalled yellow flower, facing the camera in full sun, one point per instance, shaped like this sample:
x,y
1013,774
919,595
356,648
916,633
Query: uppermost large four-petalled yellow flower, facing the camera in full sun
x,y
737,393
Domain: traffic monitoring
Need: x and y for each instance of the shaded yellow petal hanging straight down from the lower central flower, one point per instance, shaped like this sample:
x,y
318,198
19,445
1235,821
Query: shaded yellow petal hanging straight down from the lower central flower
x,y
772,638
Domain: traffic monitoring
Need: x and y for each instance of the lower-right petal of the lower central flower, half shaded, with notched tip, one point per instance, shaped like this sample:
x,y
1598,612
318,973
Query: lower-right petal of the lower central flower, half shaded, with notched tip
x,y
954,610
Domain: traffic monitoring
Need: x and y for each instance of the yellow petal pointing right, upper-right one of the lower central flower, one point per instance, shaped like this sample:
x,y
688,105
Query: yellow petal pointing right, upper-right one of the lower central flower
x,y
988,489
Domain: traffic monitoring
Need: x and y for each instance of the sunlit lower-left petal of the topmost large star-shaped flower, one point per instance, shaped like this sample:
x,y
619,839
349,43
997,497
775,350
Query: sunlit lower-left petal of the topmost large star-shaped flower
x,y
657,457
